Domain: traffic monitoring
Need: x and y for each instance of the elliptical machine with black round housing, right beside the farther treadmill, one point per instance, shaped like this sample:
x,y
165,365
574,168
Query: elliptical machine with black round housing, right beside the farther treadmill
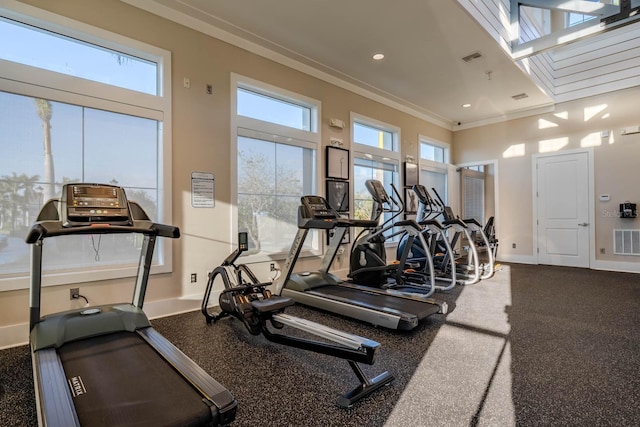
x,y
368,265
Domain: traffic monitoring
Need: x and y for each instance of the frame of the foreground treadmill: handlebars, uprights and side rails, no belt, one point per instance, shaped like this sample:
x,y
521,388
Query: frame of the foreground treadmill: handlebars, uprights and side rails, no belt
x,y
54,401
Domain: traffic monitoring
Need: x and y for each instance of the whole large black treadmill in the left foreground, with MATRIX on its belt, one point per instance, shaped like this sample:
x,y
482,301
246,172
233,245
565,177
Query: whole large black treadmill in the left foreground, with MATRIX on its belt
x,y
106,365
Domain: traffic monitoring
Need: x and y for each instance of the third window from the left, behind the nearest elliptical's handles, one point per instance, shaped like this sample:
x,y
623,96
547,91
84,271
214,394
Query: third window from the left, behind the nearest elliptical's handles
x,y
376,156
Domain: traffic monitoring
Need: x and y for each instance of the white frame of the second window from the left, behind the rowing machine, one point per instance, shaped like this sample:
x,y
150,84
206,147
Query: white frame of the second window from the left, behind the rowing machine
x,y
298,138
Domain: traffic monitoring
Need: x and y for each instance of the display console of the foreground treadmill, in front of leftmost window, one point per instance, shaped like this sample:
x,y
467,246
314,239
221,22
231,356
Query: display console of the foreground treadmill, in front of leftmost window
x,y
87,204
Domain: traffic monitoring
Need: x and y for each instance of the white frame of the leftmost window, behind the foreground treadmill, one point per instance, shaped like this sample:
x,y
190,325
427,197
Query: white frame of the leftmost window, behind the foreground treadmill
x,y
40,83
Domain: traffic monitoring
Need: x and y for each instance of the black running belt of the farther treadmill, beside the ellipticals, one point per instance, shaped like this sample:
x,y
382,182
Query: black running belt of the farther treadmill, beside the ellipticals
x,y
376,301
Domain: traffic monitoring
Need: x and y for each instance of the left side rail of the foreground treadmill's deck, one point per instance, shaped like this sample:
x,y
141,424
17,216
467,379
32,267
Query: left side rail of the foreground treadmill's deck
x,y
54,403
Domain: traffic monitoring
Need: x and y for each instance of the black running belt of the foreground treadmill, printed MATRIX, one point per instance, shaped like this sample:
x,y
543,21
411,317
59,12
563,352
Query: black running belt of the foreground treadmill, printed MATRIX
x,y
119,380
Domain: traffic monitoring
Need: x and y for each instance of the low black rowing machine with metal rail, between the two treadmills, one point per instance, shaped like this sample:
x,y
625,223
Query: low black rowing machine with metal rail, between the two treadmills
x,y
248,300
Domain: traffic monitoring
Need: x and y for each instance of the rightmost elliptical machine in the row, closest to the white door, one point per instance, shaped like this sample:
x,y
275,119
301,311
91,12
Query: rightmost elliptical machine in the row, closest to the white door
x,y
474,236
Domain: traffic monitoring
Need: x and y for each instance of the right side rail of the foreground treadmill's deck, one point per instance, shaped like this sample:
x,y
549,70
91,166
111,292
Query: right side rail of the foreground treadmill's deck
x,y
224,403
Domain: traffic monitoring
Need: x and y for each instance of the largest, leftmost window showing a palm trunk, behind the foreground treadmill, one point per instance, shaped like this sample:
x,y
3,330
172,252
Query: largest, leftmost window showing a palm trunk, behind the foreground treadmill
x,y
78,104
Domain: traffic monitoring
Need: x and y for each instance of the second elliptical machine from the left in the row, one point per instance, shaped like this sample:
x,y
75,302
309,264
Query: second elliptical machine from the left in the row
x,y
435,236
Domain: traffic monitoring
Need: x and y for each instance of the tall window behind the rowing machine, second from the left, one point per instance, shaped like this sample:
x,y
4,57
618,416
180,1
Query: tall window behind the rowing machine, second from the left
x,y
276,135
